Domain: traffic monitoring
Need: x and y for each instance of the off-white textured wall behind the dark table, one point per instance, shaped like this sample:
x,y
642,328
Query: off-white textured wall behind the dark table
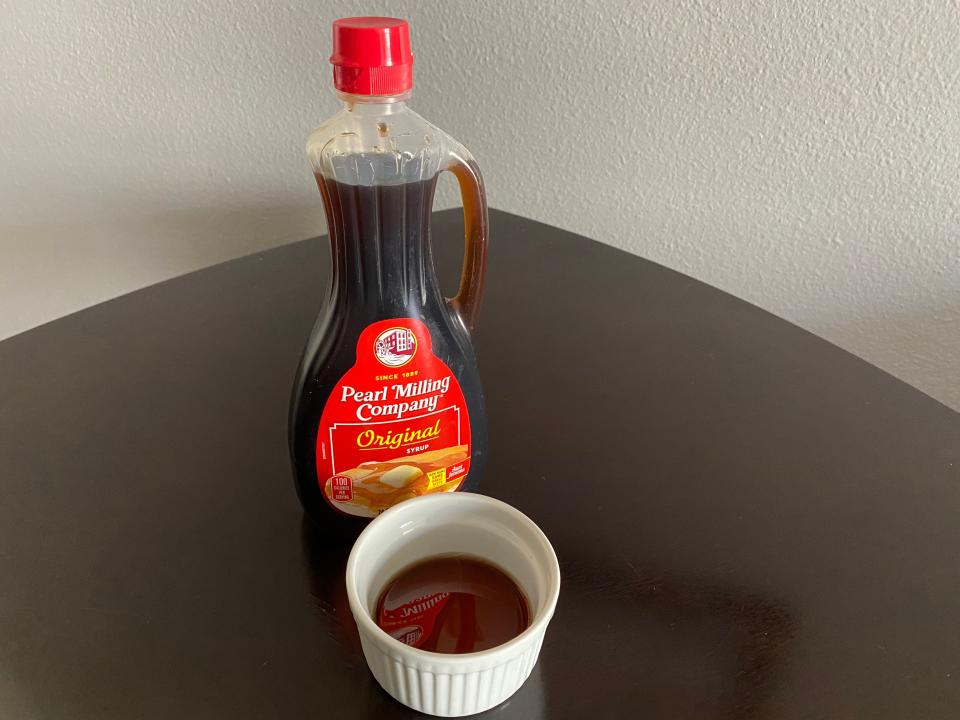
x,y
804,156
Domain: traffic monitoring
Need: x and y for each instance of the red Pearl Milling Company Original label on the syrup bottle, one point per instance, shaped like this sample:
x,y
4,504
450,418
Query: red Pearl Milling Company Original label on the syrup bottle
x,y
396,424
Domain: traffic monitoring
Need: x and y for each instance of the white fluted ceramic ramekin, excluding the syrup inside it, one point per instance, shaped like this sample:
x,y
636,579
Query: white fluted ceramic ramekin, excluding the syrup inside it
x,y
437,683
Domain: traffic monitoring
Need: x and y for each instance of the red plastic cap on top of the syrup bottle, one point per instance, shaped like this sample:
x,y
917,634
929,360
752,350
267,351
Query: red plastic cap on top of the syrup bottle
x,y
371,56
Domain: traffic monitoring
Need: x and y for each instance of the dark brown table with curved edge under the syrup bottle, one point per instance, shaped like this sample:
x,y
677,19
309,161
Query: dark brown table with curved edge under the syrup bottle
x,y
751,522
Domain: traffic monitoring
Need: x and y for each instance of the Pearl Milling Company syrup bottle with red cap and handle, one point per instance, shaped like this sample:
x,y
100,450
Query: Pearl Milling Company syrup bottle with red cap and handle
x,y
387,403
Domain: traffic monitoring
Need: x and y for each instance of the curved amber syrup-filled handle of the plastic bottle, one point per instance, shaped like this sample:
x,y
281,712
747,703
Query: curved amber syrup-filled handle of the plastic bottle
x,y
476,230
